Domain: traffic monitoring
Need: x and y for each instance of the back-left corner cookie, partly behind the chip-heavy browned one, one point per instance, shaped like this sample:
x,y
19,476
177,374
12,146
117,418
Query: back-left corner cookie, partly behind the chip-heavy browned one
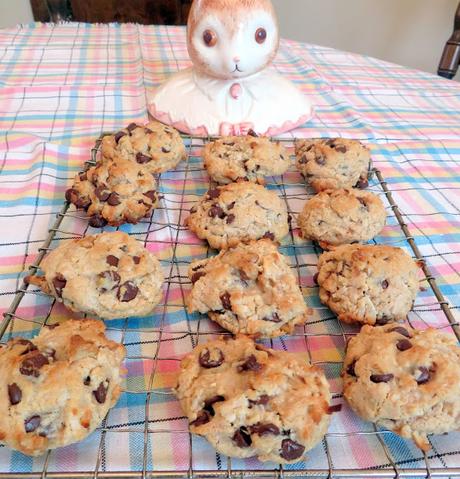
x,y
156,146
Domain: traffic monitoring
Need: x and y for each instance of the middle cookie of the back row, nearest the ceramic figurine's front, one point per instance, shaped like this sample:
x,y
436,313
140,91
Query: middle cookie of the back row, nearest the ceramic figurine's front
x,y
244,157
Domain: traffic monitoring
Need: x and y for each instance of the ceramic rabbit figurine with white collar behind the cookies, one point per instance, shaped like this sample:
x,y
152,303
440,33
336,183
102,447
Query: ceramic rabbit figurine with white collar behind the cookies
x,y
230,88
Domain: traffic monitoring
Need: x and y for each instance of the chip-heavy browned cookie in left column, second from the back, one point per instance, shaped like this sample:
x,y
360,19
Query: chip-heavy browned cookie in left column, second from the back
x,y
114,192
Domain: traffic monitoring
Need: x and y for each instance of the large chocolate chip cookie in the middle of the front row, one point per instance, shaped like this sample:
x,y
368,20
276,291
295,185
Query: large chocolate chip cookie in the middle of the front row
x,y
247,400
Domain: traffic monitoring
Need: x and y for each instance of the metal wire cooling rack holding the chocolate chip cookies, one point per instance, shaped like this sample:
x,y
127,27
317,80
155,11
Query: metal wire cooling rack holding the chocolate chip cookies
x,y
146,434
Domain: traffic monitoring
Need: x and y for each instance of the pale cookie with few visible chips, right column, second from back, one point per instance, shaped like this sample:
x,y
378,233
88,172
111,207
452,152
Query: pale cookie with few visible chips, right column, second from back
x,y
335,217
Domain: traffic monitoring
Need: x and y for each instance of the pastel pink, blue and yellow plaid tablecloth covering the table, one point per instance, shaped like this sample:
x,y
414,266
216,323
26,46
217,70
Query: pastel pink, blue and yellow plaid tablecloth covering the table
x,y
61,86
